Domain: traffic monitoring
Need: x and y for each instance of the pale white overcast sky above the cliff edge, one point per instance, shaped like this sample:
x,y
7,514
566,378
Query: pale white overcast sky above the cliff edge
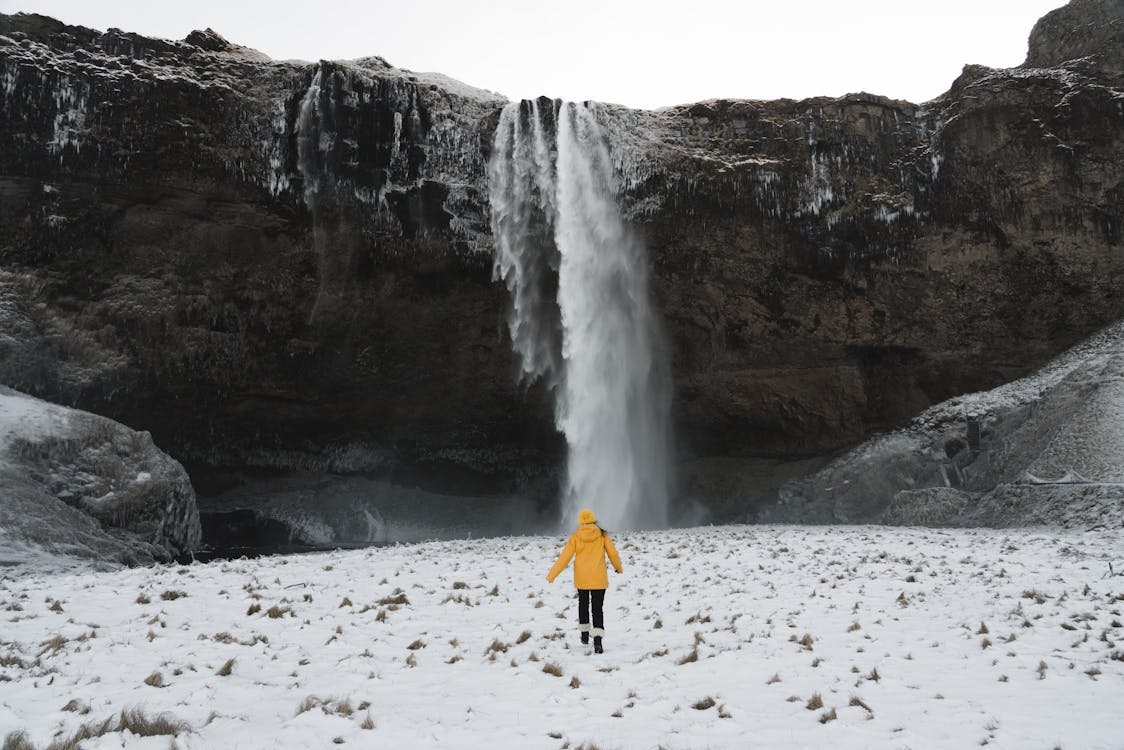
x,y
639,53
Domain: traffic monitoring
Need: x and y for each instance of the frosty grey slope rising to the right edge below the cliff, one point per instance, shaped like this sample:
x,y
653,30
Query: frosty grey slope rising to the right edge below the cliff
x,y
1048,449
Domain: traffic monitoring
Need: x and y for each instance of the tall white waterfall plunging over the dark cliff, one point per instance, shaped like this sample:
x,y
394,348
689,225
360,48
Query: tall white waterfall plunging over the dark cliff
x,y
582,314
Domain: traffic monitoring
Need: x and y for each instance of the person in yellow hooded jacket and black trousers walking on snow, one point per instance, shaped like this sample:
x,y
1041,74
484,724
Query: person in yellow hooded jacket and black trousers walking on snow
x,y
590,546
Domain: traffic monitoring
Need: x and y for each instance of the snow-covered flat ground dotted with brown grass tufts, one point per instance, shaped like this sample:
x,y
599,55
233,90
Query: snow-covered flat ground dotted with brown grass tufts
x,y
717,638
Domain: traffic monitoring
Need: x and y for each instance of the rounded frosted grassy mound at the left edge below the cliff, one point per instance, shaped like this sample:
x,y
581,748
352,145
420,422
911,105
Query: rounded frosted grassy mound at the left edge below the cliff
x,y
77,485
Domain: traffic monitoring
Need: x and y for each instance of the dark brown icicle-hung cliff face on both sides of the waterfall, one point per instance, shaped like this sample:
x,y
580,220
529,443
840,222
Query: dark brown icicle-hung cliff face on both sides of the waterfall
x,y
288,266
